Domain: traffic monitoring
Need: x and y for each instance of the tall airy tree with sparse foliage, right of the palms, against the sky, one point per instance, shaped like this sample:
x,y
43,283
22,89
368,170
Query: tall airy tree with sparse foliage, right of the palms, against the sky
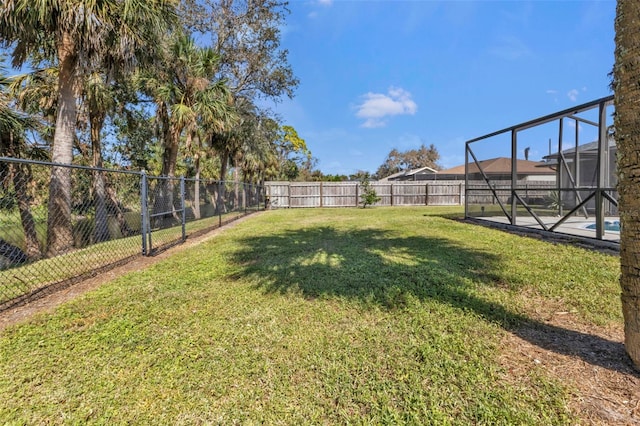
x,y
246,34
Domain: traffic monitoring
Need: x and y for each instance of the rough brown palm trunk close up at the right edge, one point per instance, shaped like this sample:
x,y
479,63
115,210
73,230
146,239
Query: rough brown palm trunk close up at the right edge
x,y
626,79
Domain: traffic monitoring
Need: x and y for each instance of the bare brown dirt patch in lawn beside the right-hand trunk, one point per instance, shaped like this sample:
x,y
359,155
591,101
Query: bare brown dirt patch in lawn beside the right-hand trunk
x,y
590,361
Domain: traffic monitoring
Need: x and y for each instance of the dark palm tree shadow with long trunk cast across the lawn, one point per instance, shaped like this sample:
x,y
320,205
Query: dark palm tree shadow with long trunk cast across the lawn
x,y
379,269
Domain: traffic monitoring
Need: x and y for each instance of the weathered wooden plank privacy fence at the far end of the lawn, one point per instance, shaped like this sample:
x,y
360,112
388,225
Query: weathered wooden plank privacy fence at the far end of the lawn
x,y
347,194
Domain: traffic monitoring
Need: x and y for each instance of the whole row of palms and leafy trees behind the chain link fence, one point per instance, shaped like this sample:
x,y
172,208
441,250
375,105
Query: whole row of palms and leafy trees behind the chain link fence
x,y
170,87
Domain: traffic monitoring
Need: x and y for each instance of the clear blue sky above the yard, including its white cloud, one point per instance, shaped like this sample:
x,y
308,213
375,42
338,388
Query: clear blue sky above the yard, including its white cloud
x,y
377,75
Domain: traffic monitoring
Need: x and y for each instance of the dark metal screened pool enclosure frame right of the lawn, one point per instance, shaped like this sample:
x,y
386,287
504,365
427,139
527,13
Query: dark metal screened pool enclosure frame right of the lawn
x,y
567,205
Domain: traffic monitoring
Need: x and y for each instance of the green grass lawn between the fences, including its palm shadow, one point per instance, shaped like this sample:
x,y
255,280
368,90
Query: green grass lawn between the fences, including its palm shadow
x,y
310,316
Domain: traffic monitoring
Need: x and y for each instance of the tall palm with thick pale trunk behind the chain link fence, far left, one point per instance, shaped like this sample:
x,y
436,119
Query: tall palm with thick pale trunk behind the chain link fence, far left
x,y
73,34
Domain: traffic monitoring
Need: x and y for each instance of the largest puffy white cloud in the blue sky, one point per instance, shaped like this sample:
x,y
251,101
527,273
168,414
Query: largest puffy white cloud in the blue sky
x,y
377,106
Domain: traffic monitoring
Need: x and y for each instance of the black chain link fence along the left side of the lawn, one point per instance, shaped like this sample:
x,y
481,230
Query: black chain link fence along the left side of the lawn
x,y
103,218
